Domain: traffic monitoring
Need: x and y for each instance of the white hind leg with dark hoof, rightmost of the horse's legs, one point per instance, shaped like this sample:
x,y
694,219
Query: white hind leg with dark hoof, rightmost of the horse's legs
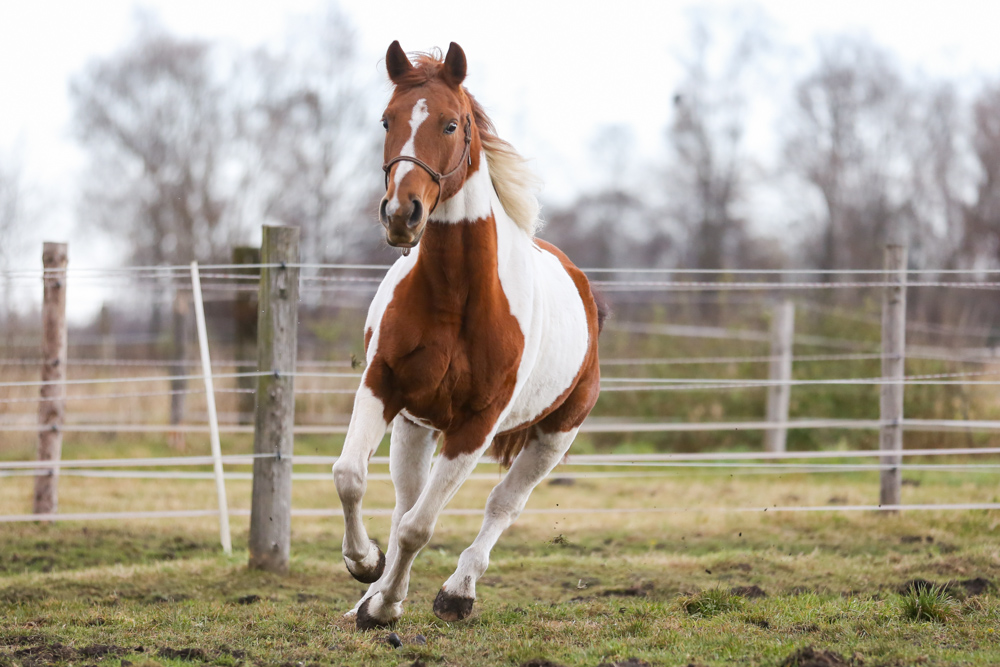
x,y
455,599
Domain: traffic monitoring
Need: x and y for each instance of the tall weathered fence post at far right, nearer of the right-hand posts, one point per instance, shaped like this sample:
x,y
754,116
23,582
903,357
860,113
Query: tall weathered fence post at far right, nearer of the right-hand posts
x,y
893,350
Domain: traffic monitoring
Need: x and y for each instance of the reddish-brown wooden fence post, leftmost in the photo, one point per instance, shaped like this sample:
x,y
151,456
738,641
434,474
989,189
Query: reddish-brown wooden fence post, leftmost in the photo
x,y
52,406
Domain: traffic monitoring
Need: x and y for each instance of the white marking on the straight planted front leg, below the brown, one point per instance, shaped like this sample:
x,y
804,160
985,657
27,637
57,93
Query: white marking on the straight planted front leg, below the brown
x,y
416,528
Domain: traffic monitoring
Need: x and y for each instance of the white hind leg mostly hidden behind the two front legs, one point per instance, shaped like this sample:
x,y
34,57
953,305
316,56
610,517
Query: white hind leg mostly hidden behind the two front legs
x,y
410,452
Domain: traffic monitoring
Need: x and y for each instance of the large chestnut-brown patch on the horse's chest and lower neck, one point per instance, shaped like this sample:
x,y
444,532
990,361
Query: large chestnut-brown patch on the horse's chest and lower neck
x,y
449,347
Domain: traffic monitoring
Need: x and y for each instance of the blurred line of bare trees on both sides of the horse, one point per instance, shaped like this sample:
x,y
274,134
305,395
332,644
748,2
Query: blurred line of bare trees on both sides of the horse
x,y
193,144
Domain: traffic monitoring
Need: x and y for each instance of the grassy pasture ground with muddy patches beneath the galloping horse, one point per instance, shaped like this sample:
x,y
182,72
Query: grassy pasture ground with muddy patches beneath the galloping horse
x,y
572,589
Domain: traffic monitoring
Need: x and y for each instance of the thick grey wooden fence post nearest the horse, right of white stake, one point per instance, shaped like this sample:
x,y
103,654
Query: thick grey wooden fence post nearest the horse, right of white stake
x,y
277,328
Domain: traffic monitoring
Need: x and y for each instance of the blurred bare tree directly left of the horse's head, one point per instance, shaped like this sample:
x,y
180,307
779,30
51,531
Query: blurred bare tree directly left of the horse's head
x,y
311,130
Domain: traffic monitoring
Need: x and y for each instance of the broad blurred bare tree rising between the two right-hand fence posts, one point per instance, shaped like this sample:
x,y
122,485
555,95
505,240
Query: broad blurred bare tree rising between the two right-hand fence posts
x,y
847,139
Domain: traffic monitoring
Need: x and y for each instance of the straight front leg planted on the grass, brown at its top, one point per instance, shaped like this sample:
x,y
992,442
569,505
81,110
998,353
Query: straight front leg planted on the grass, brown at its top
x,y
417,525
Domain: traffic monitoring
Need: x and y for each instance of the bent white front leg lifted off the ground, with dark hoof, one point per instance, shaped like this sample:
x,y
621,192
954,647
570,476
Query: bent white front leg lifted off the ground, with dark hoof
x,y
362,556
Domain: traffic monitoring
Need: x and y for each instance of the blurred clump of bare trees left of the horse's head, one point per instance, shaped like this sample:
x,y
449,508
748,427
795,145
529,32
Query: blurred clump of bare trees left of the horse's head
x,y
193,144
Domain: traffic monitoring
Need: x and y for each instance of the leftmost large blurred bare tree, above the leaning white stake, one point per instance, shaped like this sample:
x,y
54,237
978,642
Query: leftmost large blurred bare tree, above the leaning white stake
x,y
154,120
